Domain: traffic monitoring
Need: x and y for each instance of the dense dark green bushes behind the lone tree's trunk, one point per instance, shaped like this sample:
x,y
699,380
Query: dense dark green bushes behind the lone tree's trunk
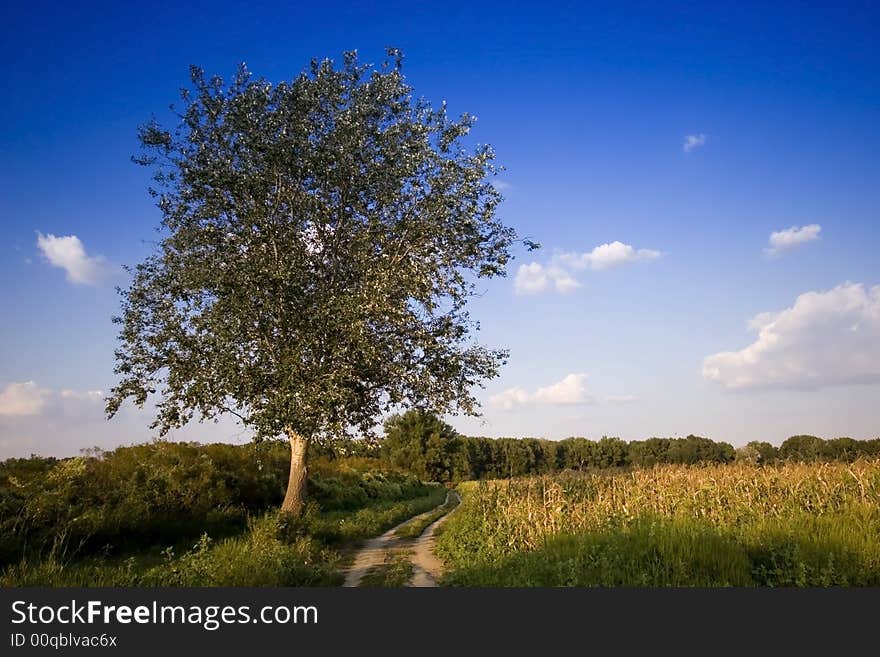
x,y
163,492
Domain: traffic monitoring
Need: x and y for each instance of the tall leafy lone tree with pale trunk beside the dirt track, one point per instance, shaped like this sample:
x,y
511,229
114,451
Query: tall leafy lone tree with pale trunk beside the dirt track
x,y
320,239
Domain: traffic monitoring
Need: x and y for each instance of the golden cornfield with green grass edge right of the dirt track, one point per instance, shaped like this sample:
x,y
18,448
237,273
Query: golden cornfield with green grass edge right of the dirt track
x,y
729,525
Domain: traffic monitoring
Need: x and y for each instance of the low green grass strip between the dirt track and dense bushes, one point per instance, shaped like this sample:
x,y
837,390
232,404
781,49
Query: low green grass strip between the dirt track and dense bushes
x,y
272,551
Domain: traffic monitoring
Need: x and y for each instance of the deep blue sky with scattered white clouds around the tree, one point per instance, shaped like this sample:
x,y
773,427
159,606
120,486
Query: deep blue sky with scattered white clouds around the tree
x,y
590,109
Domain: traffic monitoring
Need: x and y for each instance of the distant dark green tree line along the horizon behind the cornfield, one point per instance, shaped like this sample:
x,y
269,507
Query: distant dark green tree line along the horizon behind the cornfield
x,y
430,448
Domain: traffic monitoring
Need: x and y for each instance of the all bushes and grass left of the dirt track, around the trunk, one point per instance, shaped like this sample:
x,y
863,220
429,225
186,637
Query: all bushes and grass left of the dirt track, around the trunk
x,y
175,514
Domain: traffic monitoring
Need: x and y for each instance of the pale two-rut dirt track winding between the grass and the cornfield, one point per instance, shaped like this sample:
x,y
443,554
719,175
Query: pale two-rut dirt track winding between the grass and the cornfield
x,y
426,567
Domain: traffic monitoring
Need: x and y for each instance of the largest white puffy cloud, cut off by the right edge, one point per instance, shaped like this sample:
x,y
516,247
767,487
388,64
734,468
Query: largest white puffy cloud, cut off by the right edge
x,y
824,339
